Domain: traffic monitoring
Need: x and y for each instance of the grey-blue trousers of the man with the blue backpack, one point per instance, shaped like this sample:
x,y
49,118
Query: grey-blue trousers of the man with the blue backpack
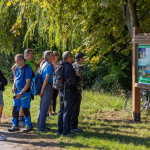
x,y
44,105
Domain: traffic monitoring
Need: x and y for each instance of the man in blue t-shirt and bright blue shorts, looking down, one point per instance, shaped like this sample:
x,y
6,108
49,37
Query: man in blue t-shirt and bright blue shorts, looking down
x,y
22,96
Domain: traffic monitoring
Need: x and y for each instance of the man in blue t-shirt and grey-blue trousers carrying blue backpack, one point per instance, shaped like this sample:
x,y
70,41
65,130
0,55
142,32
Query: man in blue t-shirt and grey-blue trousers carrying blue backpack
x,y
46,90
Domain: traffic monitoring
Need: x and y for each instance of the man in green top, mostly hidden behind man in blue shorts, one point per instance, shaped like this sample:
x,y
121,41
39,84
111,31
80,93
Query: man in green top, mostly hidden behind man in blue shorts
x,y
28,54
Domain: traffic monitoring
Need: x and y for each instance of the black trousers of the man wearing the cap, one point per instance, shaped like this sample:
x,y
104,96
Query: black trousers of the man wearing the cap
x,y
76,111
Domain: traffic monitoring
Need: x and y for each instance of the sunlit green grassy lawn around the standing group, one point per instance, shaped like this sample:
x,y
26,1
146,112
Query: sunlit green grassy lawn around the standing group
x,y
105,124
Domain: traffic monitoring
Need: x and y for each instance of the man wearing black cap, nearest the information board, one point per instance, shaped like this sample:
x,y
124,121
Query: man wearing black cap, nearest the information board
x,y
79,59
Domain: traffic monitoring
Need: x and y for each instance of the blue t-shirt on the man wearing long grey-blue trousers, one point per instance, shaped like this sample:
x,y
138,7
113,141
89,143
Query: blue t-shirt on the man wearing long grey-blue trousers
x,y
48,70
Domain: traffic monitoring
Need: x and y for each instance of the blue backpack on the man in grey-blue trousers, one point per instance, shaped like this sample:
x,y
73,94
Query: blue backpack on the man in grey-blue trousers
x,y
36,82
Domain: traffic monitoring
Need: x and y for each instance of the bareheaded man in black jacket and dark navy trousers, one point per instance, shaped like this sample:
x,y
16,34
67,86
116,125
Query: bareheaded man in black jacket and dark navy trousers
x,y
67,95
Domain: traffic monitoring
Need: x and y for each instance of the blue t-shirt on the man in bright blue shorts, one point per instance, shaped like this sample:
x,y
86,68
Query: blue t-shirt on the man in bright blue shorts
x,y
20,81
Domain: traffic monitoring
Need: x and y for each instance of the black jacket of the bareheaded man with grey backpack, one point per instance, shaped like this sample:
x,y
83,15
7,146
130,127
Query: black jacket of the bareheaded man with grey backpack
x,y
69,73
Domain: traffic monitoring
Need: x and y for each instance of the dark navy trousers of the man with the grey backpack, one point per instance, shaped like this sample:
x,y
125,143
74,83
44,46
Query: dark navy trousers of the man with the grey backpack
x,y
65,111
